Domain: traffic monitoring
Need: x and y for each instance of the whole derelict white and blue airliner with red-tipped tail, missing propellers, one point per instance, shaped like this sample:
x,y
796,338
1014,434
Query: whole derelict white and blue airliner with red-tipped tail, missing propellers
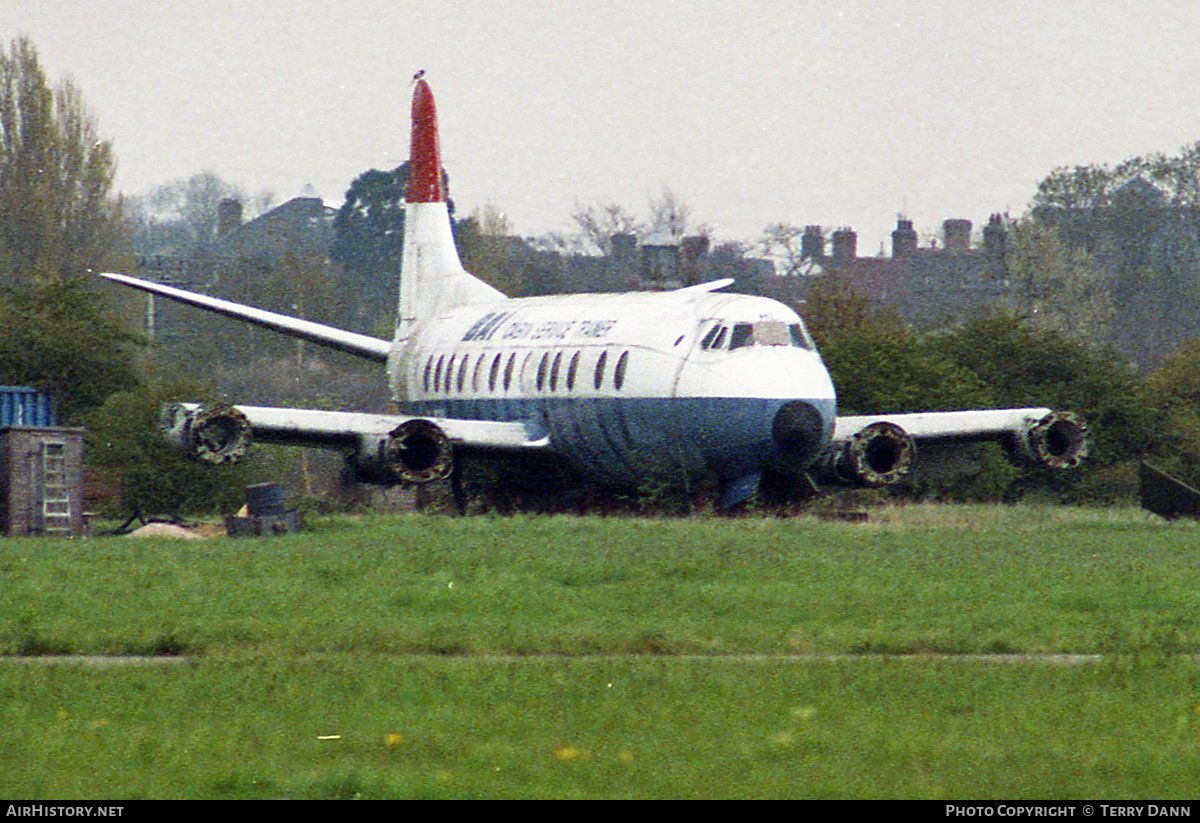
x,y
628,388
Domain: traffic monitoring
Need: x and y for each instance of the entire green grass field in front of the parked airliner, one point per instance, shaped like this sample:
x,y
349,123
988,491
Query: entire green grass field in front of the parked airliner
x,y
425,657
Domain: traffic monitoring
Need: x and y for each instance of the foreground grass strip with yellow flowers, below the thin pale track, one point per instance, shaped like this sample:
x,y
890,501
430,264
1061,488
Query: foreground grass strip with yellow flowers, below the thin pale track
x,y
569,729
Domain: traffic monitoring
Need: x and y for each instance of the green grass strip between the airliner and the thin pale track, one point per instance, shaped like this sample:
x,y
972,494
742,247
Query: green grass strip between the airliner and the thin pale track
x,y
975,580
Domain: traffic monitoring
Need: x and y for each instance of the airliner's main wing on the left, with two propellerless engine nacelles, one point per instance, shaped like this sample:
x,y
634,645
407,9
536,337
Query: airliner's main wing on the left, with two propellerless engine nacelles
x,y
387,448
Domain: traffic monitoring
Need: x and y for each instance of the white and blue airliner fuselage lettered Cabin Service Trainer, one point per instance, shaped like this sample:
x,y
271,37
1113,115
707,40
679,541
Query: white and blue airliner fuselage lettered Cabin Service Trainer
x,y
628,387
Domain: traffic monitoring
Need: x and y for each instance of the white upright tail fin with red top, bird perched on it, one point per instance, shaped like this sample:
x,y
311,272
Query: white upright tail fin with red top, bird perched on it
x,y
431,278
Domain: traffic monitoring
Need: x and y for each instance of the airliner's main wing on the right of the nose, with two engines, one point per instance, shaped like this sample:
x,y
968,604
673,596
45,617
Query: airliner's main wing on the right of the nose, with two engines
x,y
878,450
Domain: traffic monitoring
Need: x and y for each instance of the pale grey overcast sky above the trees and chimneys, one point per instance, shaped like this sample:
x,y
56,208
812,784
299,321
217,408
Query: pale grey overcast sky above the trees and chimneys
x,y
839,113
